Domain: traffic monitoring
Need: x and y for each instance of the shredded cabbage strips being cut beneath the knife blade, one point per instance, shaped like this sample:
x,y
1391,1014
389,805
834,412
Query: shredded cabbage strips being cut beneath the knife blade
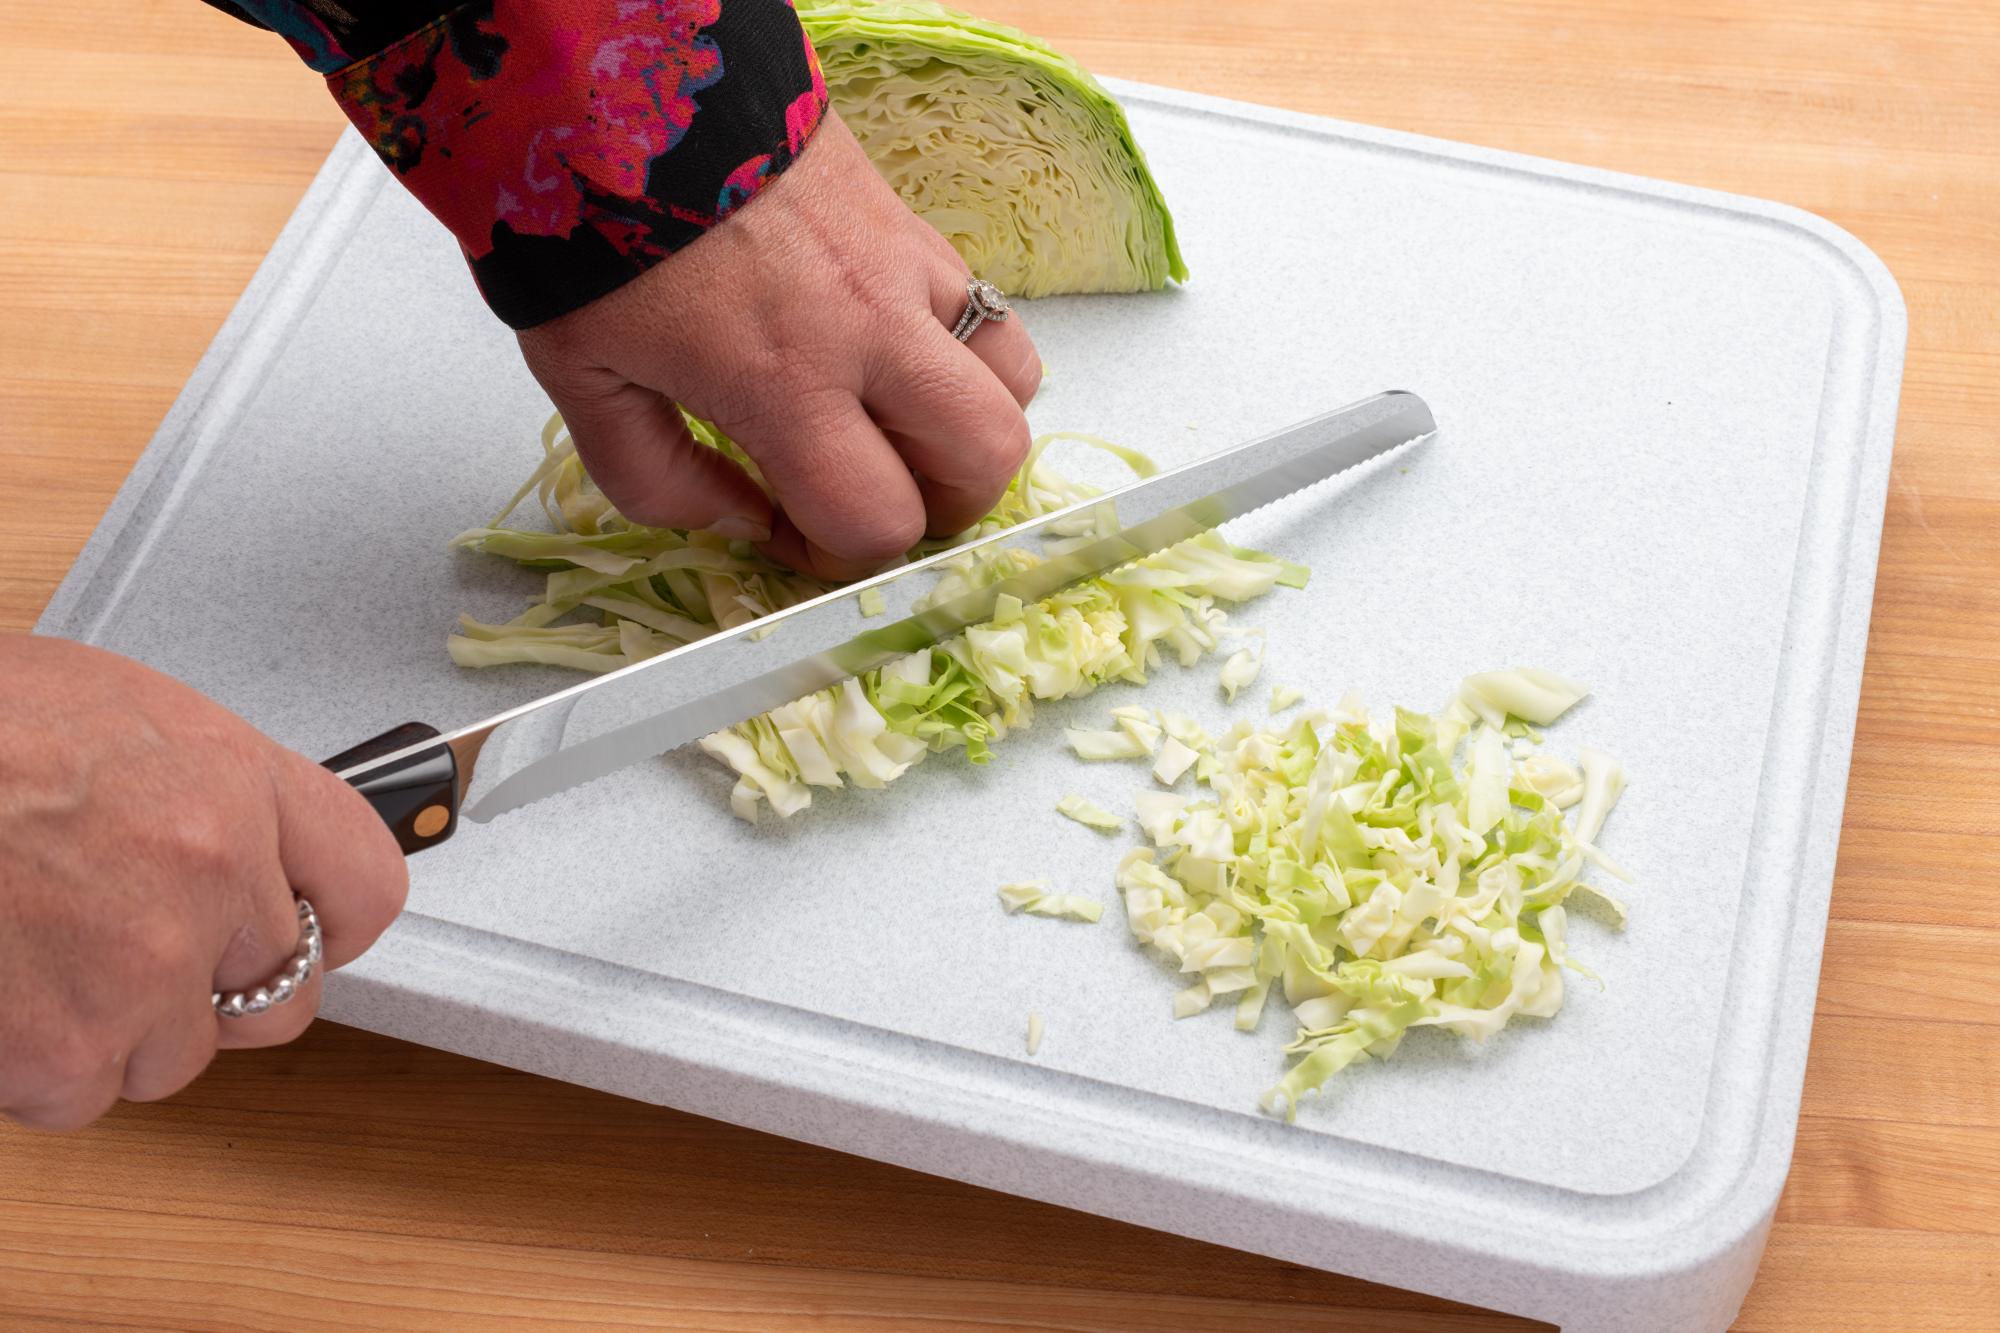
x,y
619,593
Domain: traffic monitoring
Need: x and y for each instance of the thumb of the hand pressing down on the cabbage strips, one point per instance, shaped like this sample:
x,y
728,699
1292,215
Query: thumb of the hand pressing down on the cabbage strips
x,y
639,451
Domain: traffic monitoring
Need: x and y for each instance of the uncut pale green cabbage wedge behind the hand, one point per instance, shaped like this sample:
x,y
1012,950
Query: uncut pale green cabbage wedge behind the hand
x,y
1009,149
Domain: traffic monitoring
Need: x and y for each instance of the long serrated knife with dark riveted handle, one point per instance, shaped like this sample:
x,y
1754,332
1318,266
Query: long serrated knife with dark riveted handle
x,y
421,782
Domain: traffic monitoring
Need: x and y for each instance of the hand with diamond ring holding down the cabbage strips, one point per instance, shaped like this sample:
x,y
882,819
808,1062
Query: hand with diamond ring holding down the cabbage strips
x,y
813,327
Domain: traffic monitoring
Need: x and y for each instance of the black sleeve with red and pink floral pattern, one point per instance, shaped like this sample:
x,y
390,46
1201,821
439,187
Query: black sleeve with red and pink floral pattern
x,y
569,145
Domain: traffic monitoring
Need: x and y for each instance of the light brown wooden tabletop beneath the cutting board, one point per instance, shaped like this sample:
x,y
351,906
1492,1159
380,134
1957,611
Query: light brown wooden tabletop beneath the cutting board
x,y
149,155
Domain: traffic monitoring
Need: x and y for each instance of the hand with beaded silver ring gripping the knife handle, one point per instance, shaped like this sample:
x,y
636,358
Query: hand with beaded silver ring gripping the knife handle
x,y
151,844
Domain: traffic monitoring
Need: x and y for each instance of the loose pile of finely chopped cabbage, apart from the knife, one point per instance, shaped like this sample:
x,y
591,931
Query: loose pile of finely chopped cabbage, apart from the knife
x,y
1381,874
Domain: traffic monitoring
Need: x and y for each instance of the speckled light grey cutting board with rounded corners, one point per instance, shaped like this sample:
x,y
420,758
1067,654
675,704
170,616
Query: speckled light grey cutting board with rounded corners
x,y
1667,423
